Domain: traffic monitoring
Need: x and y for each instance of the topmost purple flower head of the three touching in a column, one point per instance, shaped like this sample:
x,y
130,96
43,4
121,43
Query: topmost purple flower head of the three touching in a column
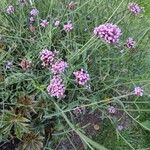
x,y
47,57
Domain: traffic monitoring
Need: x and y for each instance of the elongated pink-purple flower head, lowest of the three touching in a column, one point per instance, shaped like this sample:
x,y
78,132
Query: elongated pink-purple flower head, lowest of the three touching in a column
x,y
56,87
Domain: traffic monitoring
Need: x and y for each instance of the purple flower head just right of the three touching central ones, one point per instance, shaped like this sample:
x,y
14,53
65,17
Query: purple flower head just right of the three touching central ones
x,y
82,77
